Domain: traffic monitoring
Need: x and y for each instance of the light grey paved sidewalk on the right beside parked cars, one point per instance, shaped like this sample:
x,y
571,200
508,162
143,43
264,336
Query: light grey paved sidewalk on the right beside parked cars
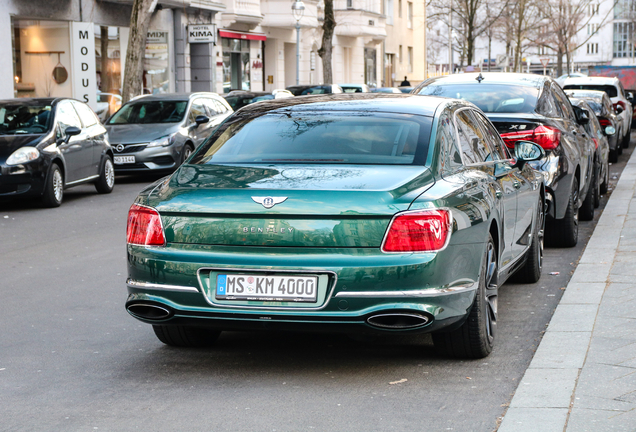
x,y
583,375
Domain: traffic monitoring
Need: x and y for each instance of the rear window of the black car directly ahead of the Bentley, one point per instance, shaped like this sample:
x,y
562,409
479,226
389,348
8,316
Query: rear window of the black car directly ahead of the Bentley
x,y
490,98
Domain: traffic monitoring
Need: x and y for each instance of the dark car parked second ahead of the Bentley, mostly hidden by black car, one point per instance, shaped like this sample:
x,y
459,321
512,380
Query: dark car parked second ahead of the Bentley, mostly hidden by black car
x,y
600,179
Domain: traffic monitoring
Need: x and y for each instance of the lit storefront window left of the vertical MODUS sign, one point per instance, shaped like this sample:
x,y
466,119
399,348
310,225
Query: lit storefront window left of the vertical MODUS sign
x,y
41,58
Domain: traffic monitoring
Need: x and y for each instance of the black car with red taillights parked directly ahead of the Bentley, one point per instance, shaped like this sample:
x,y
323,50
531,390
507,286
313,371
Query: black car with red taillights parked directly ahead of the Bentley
x,y
534,108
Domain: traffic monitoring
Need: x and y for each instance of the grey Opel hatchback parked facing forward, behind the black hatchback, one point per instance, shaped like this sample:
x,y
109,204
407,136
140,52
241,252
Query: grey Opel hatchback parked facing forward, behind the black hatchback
x,y
159,132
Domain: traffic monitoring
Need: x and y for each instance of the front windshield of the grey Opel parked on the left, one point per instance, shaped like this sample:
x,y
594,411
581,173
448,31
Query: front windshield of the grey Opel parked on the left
x,y
147,112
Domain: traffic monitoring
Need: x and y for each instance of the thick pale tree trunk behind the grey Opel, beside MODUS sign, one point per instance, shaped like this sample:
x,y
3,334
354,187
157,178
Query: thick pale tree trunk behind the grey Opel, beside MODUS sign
x,y
133,74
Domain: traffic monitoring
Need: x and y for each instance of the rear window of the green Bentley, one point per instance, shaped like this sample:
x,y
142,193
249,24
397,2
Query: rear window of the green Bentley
x,y
319,137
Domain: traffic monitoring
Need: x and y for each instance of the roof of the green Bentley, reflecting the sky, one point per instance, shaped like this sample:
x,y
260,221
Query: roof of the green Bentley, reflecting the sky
x,y
376,102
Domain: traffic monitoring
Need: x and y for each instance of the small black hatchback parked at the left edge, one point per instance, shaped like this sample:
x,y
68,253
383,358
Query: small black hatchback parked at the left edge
x,y
50,144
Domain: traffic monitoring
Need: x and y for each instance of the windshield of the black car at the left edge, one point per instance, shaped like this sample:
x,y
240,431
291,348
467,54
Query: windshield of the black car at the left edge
x,y
18,119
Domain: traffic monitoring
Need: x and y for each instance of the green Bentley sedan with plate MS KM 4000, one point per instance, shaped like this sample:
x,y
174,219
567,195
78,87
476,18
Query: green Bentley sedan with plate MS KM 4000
x,y
379,213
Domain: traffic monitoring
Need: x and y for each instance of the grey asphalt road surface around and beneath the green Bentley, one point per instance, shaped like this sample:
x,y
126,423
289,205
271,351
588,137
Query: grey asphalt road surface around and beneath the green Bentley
x,y
72,359
